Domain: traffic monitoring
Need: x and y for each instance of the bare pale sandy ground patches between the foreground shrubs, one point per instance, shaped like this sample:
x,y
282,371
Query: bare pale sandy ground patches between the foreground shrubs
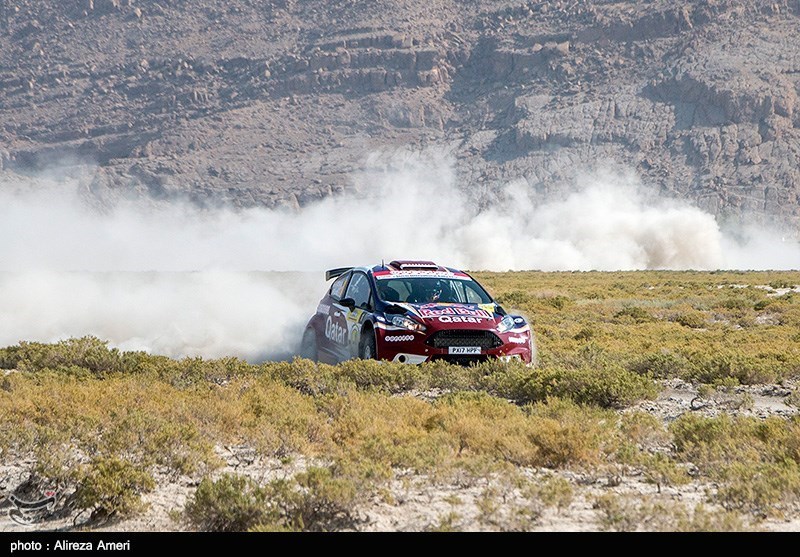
x,y
412,502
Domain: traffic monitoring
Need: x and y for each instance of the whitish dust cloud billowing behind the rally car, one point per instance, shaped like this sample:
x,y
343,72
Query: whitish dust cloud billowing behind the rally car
x,y
179,280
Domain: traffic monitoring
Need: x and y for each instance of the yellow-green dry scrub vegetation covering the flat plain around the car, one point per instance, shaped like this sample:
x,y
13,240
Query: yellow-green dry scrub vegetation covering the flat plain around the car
x,y
101,422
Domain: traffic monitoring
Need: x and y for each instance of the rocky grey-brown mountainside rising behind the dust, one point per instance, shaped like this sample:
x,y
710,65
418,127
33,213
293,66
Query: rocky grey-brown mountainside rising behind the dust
x,y
277,103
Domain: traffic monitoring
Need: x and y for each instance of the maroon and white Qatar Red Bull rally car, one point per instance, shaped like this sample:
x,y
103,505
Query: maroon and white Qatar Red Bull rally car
x,y
412,312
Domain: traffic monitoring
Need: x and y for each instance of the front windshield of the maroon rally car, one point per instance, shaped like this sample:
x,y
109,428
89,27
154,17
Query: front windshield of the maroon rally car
x,y
428,290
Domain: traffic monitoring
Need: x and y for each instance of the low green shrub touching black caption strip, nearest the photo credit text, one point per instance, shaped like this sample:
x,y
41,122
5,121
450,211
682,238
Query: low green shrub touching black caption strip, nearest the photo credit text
x,y
230,504
